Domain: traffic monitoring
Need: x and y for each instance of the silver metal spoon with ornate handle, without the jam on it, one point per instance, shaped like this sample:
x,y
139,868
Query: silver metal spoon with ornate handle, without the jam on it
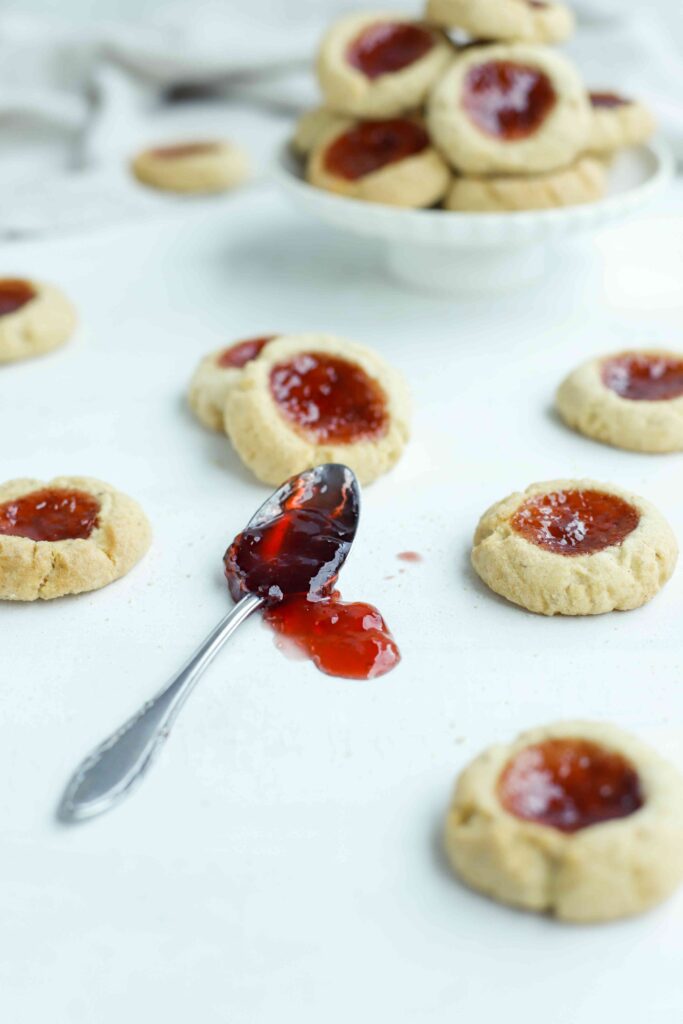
x,y
114,769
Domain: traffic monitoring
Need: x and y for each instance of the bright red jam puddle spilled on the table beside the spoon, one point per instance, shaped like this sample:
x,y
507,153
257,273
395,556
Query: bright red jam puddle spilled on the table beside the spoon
x,y
343,639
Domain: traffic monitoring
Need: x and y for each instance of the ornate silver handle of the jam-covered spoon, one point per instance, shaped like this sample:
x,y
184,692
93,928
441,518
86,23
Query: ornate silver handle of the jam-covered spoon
x,y
115,767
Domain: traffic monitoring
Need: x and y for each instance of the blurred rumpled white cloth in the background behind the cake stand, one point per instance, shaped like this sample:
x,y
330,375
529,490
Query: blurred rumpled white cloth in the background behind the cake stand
x,y
78,97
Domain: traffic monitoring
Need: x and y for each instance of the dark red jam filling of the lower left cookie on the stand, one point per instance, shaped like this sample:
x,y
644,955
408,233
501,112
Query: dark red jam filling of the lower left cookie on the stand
x,y
373,145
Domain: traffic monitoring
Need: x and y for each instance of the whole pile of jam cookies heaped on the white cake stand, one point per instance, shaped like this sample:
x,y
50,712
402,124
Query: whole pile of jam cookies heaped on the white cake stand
x,y
468,108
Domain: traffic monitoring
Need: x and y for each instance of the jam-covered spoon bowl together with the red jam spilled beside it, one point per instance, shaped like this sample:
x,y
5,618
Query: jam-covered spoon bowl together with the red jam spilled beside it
x,y
290,554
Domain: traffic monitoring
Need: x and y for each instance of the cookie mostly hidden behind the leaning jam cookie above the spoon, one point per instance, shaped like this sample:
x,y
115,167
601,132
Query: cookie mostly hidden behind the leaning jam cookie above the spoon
x,y
216,376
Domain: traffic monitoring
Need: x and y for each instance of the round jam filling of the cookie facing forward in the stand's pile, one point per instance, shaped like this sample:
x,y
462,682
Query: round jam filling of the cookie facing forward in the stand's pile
x,y
507,101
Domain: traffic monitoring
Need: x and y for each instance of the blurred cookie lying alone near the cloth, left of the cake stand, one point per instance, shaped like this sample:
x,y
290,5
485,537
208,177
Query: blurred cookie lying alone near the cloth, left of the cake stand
x,y
193,167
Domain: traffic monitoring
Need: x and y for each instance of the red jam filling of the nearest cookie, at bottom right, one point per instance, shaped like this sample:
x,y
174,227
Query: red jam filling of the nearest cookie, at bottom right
x,y
570,785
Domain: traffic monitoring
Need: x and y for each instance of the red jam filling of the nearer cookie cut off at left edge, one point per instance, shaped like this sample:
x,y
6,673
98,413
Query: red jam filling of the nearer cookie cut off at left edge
x,y
51,515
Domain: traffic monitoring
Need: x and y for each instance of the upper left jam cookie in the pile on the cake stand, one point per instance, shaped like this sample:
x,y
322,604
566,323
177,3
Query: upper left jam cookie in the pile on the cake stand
x,y
380,65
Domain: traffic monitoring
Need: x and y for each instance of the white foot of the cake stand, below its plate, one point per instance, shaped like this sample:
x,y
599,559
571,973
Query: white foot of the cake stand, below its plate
x,y
441,270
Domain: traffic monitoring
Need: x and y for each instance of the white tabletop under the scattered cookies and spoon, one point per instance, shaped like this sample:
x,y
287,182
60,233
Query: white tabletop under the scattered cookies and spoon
x,y
282,863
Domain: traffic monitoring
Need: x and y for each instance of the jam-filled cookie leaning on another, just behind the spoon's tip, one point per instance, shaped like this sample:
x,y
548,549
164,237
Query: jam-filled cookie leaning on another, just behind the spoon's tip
x,y
312,399
